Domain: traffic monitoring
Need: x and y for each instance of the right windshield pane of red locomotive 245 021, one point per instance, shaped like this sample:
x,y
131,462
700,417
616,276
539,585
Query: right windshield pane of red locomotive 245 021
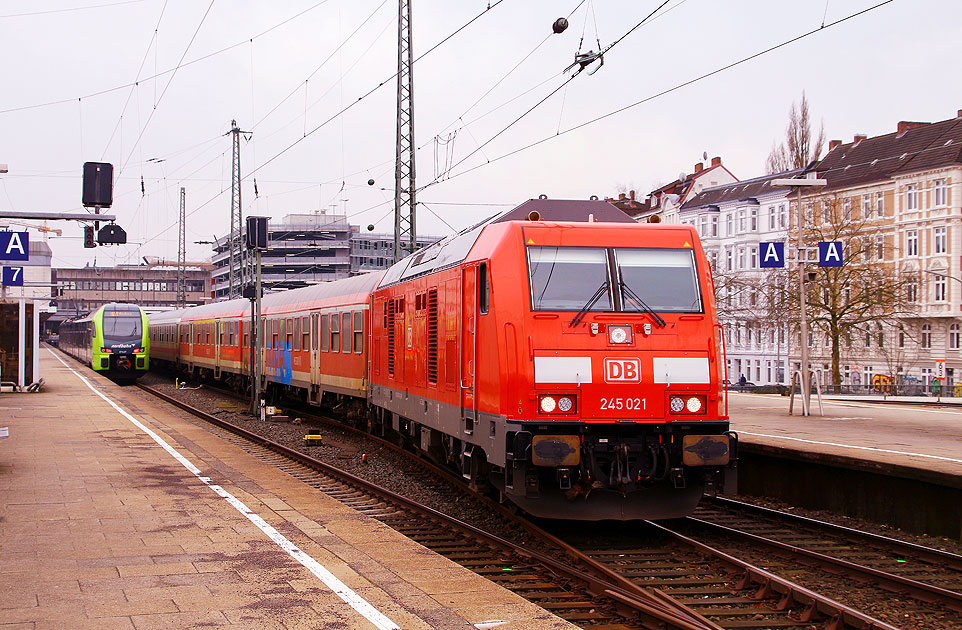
x,y
664,279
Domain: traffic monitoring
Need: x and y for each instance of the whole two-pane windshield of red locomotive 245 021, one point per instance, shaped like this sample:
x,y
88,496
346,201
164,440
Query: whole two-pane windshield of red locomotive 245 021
x,y
570,278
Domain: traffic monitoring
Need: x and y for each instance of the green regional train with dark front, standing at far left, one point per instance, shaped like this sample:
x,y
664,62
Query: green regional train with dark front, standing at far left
x,y
113,340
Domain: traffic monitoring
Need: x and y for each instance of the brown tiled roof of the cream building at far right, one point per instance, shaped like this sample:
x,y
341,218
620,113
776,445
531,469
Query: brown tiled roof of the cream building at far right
x,y
916,147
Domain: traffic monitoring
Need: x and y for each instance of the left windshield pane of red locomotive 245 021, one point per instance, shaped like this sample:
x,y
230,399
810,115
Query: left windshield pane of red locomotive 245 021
x,y
566,278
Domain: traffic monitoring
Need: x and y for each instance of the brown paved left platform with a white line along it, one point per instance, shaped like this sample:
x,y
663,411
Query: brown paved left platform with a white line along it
x,y
101,527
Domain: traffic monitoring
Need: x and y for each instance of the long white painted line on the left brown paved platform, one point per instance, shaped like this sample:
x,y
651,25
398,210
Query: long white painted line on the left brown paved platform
x,y
358,603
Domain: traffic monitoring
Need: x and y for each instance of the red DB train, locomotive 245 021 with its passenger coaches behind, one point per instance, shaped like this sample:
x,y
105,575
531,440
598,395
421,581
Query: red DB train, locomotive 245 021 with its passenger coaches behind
x,y
560,353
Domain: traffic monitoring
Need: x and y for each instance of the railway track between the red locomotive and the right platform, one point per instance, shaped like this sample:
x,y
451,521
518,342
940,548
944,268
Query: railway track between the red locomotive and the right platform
x,y
928,575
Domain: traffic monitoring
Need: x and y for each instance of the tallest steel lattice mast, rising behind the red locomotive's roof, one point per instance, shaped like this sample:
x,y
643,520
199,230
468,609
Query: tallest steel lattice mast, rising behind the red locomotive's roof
x,y
405,203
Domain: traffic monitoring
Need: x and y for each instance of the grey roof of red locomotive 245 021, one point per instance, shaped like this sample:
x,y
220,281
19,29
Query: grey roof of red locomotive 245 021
x,y
454,249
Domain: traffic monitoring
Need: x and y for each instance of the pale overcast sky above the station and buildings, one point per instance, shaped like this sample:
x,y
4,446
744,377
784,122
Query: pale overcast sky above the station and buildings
x,y
69,69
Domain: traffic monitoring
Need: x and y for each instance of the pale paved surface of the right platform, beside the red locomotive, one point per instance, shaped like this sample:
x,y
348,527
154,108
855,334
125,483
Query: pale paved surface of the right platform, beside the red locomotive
x,y
927,438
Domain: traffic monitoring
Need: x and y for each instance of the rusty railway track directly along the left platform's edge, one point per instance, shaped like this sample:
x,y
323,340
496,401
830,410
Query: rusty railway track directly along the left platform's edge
x,y
555,584
